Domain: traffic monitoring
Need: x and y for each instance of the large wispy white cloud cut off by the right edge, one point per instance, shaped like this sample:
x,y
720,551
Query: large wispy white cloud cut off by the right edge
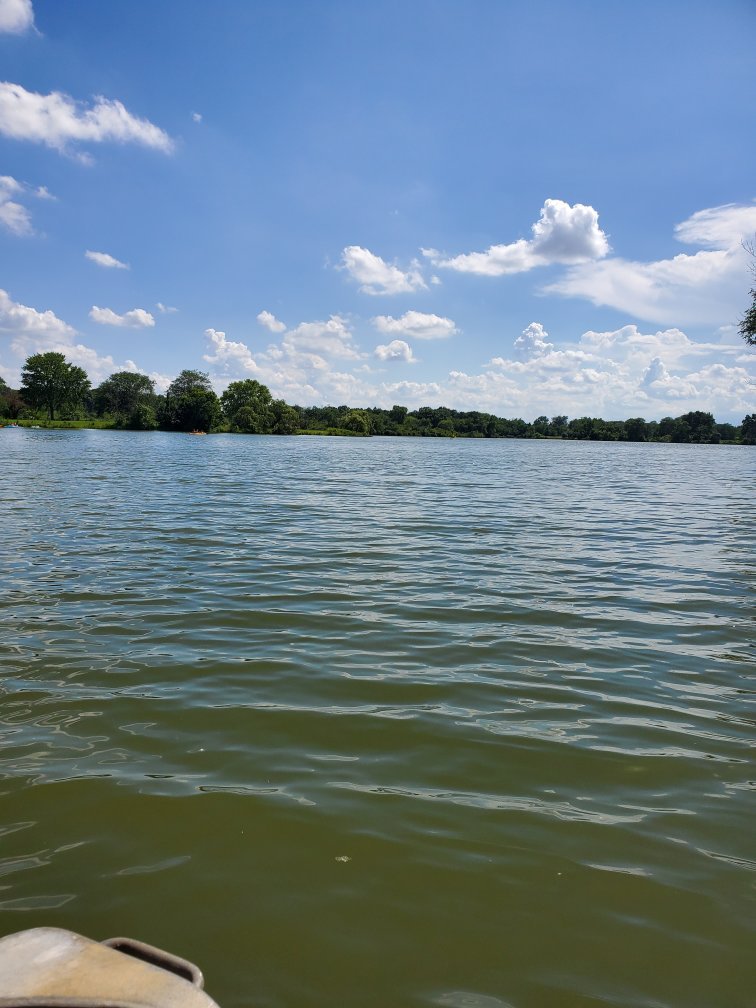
x,y
706,288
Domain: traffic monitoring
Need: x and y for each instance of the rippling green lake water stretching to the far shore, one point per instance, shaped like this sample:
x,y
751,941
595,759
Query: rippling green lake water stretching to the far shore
x,y
388,722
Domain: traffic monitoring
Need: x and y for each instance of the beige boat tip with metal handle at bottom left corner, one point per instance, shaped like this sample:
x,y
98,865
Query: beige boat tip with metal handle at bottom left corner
x,y
51,966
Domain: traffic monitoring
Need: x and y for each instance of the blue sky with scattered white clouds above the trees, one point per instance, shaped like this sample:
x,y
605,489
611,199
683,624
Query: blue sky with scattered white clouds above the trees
x,y
524,208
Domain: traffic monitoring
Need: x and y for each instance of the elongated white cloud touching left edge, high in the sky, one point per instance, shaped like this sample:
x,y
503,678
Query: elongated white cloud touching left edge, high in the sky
x,y
57,120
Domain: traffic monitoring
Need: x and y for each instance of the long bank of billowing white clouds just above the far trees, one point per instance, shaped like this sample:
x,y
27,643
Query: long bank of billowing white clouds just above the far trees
x,y
610,374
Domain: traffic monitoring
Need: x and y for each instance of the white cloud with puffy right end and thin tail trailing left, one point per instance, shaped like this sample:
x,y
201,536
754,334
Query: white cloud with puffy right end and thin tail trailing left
x,y
563,234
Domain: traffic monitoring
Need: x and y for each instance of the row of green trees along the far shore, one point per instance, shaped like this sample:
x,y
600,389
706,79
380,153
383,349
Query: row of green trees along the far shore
x,y
54,390
